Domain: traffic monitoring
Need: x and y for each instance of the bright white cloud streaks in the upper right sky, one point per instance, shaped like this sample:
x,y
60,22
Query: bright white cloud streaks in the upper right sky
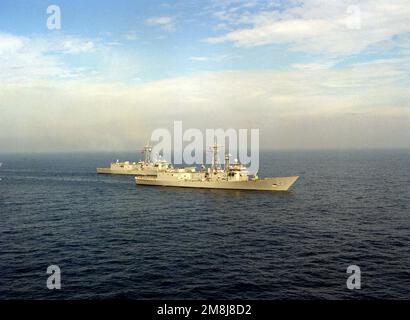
x,y
314,26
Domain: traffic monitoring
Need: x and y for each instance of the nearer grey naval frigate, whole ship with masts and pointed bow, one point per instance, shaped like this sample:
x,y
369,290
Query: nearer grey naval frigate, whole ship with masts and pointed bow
x,y
232,176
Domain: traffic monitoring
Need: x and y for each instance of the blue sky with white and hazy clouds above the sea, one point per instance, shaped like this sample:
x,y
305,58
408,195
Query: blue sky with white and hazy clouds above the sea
x,y
308,74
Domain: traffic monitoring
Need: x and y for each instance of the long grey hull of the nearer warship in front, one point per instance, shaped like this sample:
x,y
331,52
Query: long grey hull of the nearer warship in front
x,y
268,184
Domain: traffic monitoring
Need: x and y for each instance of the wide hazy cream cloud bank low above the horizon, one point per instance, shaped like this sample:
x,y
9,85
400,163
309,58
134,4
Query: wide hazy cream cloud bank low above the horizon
x,y
364,105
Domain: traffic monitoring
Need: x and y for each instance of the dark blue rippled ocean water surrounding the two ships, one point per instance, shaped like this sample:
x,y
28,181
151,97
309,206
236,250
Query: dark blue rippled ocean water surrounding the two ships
x,y
113,239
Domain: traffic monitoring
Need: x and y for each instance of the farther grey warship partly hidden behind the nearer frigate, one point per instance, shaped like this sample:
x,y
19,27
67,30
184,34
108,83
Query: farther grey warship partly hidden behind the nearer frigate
x,y
143,167
